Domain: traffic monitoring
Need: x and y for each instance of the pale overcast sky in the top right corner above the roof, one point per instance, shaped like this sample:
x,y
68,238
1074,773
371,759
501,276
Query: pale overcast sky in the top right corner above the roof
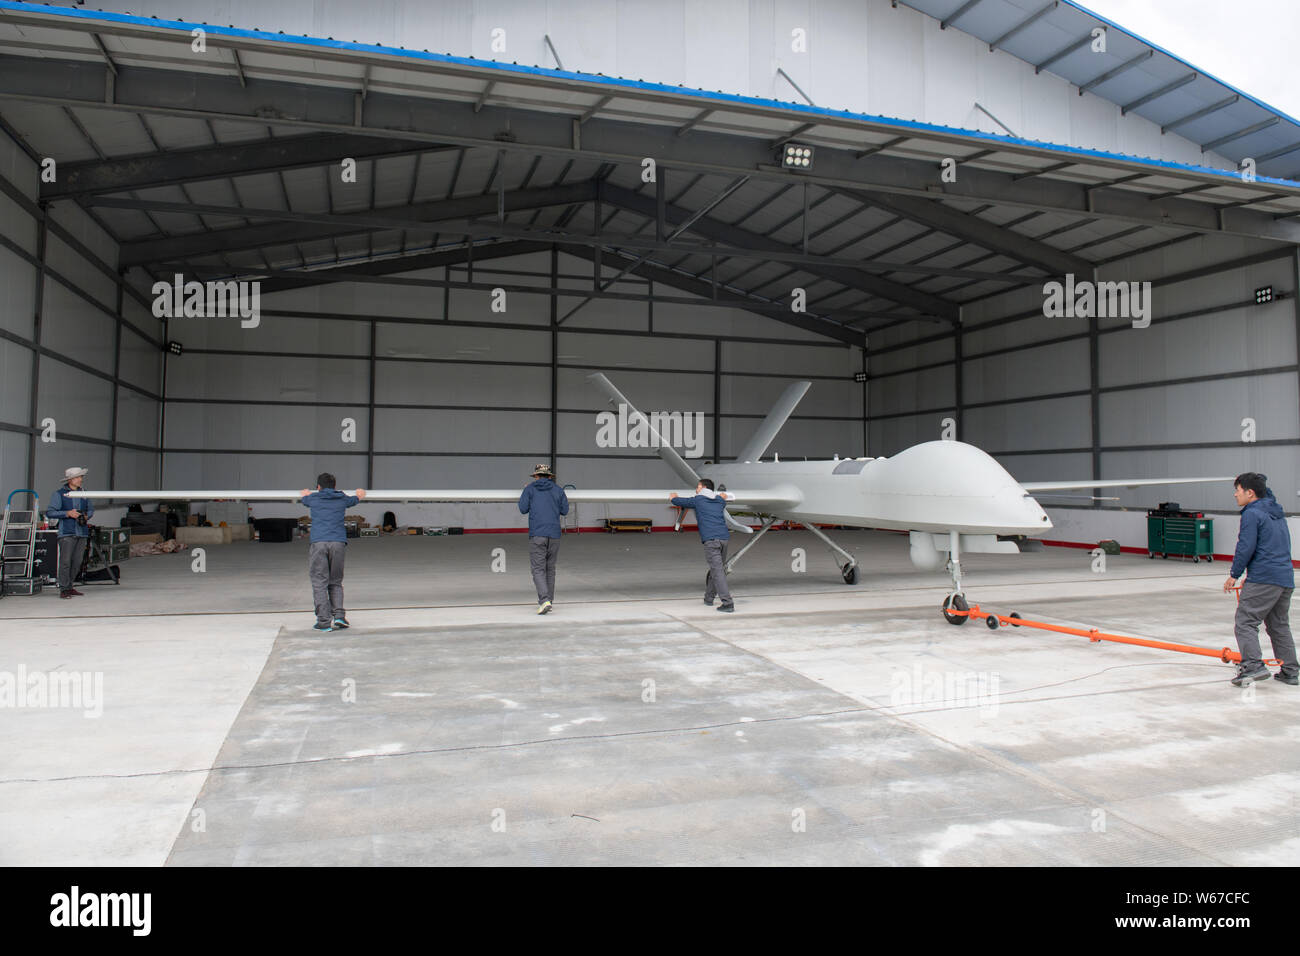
x,y
1254,45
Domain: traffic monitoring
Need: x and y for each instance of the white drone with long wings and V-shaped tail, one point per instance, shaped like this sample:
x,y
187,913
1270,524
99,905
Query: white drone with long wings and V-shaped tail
x,y
950,496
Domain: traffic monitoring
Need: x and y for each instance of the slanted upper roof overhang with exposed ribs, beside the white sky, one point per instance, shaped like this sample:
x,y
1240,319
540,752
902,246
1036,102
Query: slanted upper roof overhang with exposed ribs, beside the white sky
x,y
1138,76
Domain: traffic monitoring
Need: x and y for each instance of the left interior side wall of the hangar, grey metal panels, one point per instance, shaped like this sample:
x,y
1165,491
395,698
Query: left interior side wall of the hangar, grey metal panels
x,y
94,371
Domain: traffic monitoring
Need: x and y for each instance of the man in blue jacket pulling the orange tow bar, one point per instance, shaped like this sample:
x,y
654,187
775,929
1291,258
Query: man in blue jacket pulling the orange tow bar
x,y
1264,555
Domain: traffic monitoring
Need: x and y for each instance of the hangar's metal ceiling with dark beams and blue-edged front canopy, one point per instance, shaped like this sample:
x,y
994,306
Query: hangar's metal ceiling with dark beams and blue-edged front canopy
x,y
227,165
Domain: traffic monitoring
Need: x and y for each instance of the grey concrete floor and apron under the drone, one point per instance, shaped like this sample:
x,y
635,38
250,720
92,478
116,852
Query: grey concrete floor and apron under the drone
x,y
822,724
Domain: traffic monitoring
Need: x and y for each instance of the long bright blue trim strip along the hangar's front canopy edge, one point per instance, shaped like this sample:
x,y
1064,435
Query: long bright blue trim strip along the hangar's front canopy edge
x,y
977,136
